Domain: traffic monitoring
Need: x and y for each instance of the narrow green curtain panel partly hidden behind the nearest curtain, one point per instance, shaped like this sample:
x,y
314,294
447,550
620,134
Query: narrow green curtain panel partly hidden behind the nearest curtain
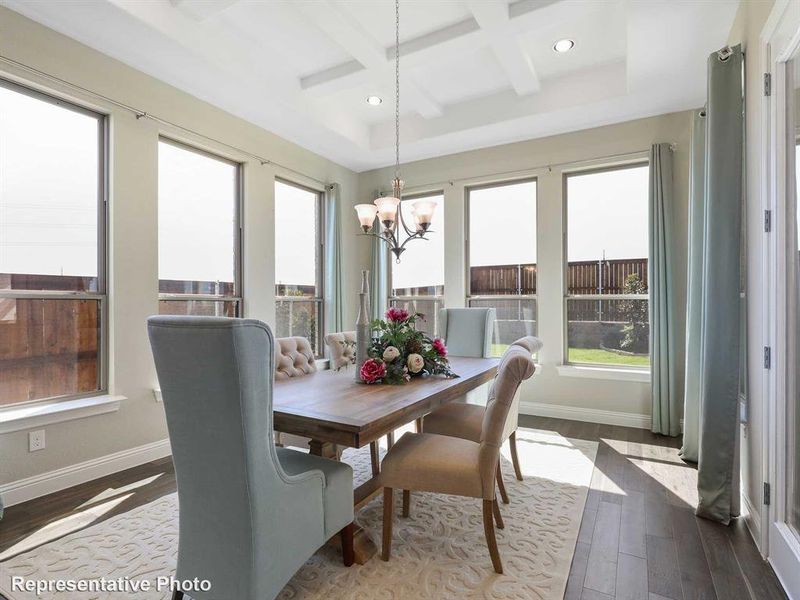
x,y
694,289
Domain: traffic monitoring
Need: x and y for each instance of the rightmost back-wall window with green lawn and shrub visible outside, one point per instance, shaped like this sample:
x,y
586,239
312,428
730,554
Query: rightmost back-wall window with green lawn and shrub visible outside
x,y
606,280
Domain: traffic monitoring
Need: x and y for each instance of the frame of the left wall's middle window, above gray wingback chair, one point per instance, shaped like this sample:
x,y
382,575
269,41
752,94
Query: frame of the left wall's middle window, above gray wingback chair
x,y
238,243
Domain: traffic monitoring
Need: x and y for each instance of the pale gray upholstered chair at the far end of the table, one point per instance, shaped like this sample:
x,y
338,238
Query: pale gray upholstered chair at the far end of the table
x,y
467,331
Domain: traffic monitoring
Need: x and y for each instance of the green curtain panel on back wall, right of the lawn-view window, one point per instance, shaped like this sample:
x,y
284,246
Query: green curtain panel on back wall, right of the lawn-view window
x,y
663,312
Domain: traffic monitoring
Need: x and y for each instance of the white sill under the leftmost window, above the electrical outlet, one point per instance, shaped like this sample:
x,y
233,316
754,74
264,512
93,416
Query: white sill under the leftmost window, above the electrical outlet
x,y
20,418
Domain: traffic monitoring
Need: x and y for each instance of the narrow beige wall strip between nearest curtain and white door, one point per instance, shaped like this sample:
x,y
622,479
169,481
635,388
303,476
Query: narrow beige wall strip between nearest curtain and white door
x,y
746,30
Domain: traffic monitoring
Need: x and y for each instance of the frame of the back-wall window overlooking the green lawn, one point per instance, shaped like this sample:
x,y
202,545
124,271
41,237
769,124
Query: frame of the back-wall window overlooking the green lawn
x,y
566,174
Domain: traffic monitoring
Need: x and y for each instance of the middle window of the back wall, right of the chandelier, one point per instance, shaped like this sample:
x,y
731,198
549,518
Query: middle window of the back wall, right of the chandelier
x,y
501,257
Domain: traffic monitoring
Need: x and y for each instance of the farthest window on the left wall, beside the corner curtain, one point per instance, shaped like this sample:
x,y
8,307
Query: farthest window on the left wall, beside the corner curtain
x,y
298,263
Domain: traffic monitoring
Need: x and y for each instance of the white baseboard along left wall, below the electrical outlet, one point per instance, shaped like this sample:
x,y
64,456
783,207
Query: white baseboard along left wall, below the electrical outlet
x,y
61,479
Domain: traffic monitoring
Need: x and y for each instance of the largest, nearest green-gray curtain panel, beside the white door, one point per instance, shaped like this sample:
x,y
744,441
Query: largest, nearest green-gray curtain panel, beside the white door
x,y
717,458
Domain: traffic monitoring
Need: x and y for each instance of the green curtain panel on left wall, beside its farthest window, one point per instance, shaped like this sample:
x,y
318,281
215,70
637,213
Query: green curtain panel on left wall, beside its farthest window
x,y
334,305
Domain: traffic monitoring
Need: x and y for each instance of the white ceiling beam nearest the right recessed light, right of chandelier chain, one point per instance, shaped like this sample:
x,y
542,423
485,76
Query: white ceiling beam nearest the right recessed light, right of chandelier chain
x,y
494,19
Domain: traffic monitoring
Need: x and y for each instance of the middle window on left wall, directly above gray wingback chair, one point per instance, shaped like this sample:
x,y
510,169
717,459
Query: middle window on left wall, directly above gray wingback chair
x,y
198,233
